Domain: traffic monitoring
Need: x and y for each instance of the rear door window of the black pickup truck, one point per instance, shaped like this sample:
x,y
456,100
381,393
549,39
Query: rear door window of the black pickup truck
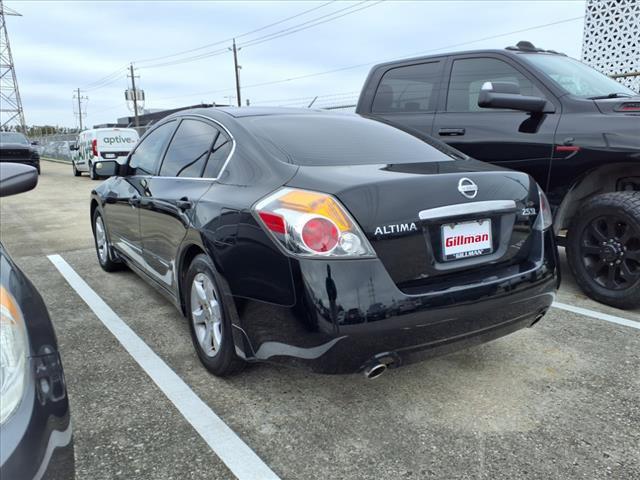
x,y
408,89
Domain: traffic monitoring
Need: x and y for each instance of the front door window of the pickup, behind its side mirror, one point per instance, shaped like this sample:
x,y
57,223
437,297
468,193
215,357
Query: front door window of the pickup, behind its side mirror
x,y
469,74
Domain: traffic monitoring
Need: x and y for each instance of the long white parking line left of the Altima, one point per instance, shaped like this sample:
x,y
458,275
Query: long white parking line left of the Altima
x,y
236,455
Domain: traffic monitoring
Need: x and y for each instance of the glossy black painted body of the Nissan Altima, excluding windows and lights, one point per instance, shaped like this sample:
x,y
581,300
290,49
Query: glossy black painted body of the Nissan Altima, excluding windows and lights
x,y
296,310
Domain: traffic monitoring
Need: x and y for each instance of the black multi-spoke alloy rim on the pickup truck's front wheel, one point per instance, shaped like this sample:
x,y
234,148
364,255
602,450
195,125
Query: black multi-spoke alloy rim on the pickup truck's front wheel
x,y
610,251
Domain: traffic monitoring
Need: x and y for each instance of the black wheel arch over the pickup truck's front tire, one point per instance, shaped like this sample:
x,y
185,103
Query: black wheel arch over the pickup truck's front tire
x,y
604,179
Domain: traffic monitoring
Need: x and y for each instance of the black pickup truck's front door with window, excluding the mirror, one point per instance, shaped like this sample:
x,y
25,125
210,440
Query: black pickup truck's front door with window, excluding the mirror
x,y
508,138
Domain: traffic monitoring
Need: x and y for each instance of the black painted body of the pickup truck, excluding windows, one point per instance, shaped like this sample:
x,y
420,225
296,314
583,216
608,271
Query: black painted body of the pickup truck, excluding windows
x,y
559,148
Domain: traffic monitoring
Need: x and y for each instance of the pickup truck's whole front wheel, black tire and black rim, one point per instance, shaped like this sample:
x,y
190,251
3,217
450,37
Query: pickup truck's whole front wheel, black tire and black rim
x,y
603,248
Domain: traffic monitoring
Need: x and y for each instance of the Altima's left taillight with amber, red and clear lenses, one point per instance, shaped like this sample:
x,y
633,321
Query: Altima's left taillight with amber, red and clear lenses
x,y
311,224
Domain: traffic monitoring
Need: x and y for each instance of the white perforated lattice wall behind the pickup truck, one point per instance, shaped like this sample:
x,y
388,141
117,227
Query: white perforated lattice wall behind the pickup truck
x,y
611,42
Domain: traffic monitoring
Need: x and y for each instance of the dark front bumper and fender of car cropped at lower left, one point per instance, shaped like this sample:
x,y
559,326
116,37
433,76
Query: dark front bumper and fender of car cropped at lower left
x,y
37,438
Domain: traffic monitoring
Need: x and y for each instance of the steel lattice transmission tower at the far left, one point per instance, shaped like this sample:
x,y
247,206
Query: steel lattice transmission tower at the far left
x,y
11,113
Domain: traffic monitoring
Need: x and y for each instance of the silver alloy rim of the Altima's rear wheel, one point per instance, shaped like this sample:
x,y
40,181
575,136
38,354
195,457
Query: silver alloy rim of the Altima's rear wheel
x,y
206,314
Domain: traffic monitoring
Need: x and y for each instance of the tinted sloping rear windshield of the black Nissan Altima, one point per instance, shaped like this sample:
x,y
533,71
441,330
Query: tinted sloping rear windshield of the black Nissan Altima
x,y
320,140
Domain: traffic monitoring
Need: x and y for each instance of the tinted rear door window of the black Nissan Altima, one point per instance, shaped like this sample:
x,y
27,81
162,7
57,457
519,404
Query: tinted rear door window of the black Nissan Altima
x,y
189,149
